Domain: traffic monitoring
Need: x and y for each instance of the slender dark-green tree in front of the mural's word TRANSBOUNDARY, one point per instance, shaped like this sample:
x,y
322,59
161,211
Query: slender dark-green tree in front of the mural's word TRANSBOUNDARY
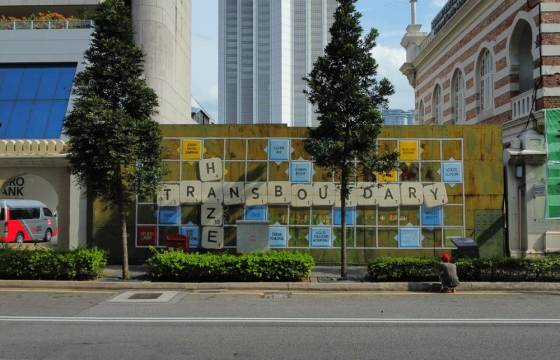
x,y
348,101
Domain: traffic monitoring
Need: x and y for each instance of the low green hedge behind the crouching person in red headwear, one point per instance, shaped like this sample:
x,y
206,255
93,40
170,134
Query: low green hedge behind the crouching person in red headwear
x,y
489,269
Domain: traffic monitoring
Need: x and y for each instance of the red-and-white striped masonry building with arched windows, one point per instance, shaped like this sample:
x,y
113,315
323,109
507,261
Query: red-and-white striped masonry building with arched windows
x,y
496,62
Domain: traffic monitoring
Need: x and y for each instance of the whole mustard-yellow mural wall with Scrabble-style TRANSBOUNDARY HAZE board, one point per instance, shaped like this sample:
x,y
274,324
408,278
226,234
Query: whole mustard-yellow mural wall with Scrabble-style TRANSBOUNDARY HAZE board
x,y
222,174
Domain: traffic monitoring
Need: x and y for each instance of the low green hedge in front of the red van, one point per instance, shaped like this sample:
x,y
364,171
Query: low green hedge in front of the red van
x,y
51,264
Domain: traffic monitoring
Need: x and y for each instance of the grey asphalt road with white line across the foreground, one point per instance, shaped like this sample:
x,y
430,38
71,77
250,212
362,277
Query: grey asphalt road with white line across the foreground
x,y
37,324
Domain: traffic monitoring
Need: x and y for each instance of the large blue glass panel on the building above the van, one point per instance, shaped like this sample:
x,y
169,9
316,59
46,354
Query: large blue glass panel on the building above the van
x,y
34,99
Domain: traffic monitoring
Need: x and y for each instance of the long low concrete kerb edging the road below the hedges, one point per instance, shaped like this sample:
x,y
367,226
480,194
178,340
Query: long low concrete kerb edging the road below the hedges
x,y
277,286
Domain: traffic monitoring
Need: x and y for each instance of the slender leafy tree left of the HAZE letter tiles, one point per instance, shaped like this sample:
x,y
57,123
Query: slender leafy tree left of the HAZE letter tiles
x,y
115,145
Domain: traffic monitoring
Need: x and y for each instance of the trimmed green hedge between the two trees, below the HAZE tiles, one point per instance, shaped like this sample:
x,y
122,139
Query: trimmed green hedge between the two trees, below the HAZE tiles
x,y
258,266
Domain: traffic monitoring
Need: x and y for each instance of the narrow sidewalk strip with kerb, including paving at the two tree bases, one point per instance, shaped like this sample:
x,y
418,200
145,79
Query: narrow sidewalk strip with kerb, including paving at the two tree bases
x,y
323,278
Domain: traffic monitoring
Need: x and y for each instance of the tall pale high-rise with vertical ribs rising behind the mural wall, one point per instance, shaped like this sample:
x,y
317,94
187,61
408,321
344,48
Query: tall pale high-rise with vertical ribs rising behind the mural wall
x,y
266,48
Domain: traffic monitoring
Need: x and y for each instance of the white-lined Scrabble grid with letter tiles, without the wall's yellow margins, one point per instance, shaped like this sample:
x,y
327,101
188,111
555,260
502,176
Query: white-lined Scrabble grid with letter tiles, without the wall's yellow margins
x,y
253,165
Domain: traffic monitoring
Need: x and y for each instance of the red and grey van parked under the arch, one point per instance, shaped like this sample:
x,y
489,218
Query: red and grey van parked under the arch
x,y
26,220
